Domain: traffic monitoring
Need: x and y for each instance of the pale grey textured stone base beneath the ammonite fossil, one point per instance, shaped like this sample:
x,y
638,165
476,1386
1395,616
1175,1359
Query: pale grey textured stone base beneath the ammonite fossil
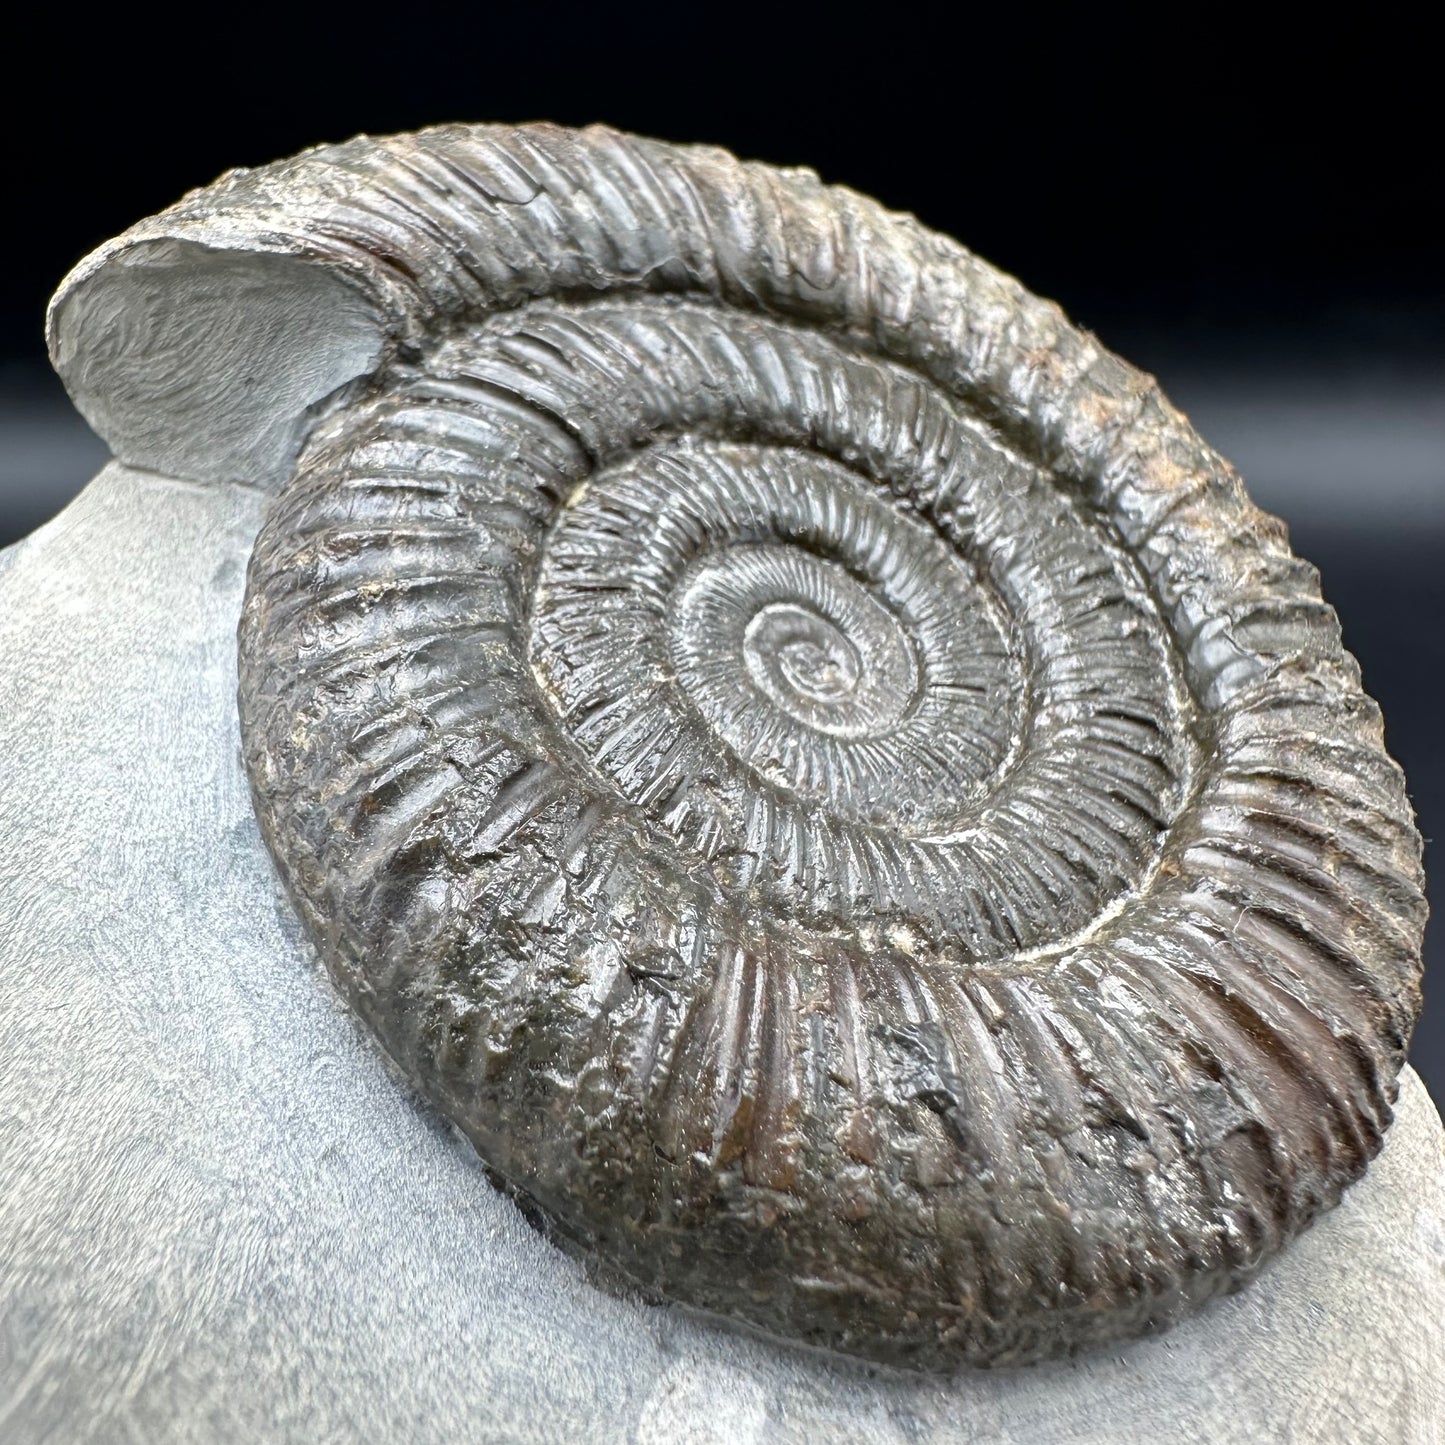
x,y
222,1220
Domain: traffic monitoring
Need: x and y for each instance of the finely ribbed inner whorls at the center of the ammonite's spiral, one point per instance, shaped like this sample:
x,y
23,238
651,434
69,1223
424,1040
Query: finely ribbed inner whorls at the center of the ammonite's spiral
x,y
732,631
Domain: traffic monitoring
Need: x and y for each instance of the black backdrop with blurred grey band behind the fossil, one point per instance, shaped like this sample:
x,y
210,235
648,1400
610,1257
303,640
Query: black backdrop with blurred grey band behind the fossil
x,y
1246,213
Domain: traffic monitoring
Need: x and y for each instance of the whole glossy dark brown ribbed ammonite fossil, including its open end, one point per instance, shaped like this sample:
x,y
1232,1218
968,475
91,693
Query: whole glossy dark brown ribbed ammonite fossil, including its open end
x,y
798,752
